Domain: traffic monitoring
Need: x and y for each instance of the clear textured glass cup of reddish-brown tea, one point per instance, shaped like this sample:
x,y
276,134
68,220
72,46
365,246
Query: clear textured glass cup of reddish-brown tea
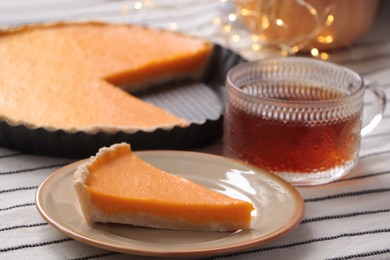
x,y
300,118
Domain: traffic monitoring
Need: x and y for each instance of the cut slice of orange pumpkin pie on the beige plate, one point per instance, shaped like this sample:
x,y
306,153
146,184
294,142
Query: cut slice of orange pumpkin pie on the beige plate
x,y
116,186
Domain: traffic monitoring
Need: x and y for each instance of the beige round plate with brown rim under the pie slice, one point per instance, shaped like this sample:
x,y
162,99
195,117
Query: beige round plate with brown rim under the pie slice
x,y
278,208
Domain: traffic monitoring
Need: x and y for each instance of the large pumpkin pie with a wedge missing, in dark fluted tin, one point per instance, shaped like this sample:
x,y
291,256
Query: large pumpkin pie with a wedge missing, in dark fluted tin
x,y
77,76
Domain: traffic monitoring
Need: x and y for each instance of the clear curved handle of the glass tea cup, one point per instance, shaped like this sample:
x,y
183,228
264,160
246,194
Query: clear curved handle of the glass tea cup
x,y
378,109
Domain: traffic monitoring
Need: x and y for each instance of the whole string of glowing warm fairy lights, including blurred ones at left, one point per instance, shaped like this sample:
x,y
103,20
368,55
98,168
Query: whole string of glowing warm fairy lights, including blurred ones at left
x,y
257,40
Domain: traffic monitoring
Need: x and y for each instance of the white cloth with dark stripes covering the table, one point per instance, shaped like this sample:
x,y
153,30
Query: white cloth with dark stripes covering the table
x,y
348,219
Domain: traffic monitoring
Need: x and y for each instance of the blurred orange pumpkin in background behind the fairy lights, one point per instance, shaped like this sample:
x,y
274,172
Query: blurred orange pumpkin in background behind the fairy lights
x,y
325,25
